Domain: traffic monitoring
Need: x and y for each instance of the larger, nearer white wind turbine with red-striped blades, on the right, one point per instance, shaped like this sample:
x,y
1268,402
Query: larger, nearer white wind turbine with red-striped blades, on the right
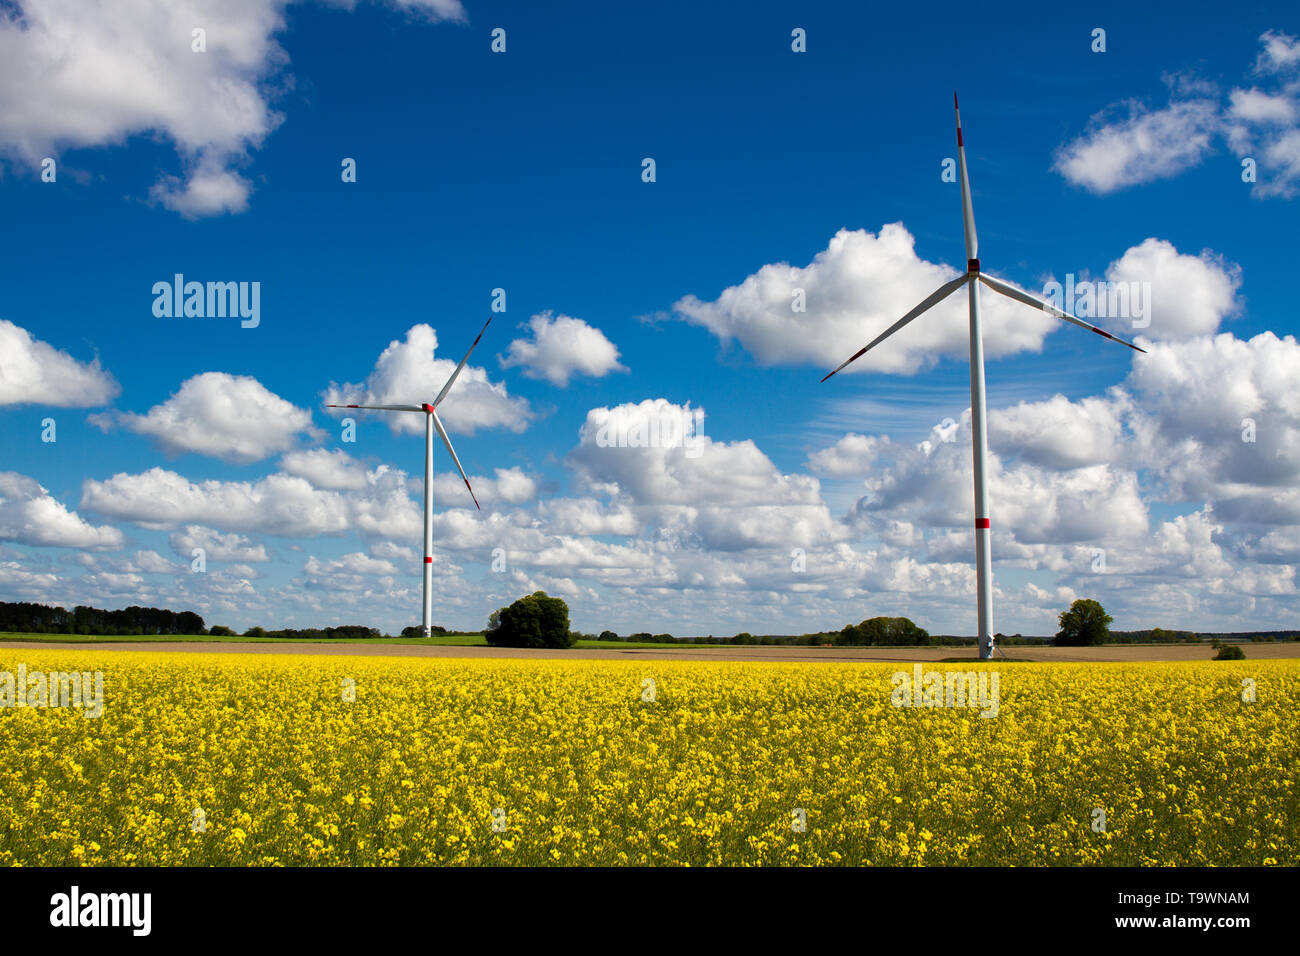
x,y
980,440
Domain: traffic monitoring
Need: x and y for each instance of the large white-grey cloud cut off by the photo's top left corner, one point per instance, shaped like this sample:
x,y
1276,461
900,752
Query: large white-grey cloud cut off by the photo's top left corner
x,y
76,75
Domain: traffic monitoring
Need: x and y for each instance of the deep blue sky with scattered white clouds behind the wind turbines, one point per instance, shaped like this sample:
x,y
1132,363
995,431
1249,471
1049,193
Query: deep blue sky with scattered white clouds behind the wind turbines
x,y
523,171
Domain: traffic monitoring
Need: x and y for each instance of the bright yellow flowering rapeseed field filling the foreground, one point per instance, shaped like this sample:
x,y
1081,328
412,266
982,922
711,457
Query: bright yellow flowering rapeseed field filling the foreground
x,y
274,759
